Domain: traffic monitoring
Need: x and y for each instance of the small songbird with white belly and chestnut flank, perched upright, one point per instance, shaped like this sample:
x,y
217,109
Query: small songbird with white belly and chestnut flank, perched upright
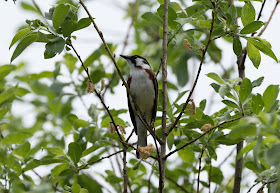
x,y
143,85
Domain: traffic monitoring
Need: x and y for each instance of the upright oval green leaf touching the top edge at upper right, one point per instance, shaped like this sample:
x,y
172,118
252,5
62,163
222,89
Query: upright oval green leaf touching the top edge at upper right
x,y
248,13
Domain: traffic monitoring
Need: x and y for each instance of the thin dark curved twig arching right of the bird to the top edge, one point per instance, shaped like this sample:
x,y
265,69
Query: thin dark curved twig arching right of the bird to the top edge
x,y
198,73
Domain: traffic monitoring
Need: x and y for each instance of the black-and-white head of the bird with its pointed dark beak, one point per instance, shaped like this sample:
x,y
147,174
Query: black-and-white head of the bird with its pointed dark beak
x,y
136,61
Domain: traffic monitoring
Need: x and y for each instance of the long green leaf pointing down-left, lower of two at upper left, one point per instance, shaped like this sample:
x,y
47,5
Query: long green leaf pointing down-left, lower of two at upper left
x,y
25,42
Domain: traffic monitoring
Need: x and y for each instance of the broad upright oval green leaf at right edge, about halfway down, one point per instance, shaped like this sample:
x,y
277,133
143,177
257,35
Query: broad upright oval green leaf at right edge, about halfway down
x,y
269,96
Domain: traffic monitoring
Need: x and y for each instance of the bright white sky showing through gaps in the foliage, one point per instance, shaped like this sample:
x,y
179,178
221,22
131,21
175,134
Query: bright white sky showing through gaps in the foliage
x,y
111,27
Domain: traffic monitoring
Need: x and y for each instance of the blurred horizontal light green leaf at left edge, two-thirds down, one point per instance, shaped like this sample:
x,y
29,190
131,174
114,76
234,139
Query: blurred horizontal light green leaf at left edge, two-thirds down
x,y
16,138
